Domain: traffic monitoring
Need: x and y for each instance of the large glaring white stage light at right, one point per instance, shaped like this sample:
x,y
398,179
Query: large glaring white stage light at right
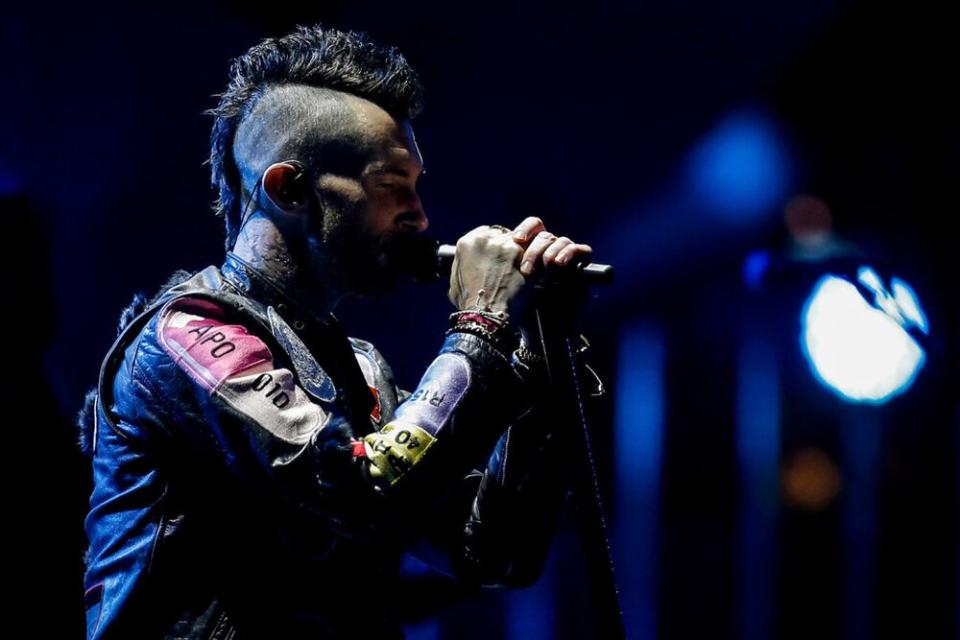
x,y
858,350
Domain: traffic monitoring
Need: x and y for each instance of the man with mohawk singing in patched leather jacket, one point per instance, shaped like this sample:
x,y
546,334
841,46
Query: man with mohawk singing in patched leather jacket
x,y
258,474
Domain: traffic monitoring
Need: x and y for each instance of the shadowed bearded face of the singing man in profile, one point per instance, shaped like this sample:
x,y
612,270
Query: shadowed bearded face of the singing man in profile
x,y
379,209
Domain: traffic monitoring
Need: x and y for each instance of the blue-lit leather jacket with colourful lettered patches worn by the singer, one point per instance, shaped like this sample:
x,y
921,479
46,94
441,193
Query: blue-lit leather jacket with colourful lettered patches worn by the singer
x,y
258,474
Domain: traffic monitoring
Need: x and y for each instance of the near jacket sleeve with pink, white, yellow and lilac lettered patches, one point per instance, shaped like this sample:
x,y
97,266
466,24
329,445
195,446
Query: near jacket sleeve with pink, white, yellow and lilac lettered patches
x,y
239,407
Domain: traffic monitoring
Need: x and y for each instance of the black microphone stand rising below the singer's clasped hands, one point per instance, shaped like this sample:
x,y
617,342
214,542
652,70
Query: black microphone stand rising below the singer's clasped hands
x,y
556,305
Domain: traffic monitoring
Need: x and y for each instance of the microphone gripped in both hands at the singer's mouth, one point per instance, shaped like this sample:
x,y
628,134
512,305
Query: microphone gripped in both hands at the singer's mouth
x,y
425,259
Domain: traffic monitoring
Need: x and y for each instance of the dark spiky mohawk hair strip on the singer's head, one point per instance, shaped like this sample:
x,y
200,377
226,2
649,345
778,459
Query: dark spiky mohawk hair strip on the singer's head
x,y
314,56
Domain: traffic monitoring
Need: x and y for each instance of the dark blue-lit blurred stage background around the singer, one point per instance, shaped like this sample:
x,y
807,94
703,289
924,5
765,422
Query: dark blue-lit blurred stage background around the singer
x,y
746,500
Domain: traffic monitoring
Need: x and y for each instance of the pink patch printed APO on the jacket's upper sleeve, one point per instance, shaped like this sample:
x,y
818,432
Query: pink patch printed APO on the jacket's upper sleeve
x,y
206,347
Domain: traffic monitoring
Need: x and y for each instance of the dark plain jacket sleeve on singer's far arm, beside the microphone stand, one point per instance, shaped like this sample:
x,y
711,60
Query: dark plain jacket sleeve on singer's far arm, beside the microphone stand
x,y
499,528
